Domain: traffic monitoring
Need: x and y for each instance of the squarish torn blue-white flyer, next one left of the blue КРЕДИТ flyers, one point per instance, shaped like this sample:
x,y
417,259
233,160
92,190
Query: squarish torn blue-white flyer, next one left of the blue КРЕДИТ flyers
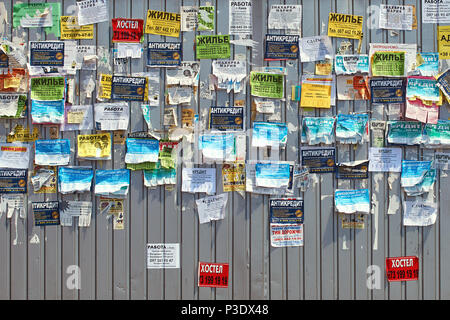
x,y
352,128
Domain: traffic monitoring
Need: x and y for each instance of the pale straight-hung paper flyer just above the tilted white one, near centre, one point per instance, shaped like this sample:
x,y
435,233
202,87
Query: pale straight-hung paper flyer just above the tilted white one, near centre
x,y
199,180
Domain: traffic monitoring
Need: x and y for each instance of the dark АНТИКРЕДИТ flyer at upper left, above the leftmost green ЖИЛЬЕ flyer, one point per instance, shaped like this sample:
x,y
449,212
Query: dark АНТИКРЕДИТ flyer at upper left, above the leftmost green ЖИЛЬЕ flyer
x,y
47,53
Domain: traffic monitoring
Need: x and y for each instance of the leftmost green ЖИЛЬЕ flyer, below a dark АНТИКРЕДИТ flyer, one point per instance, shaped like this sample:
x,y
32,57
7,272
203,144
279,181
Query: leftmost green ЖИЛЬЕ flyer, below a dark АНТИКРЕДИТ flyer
x,y
47,88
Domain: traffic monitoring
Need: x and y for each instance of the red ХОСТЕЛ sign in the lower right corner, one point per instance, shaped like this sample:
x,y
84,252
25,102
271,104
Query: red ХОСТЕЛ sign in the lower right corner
x,y
402,268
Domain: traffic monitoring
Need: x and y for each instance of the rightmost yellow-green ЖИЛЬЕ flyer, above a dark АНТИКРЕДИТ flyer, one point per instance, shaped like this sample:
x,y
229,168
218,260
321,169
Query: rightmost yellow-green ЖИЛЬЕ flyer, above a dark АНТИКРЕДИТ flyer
x,y
386,63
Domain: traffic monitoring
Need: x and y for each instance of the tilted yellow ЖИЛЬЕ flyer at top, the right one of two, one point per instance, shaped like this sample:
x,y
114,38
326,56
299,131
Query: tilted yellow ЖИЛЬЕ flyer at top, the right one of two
x,y
345,26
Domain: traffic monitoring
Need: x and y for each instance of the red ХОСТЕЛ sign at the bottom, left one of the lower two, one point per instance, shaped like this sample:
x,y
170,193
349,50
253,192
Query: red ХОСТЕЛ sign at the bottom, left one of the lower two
x,y
213,275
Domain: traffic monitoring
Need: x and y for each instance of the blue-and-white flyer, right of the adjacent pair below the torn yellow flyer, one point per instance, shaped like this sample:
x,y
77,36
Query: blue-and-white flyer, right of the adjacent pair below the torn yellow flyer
x,y
112,182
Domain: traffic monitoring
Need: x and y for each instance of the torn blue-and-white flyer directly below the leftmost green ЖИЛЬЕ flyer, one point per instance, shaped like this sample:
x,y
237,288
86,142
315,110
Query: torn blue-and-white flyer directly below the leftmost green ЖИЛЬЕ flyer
x,y
47,111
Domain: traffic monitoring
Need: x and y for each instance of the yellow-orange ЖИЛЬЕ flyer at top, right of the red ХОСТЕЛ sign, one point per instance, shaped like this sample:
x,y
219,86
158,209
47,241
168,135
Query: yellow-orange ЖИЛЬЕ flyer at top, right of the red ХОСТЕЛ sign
x,y
163,23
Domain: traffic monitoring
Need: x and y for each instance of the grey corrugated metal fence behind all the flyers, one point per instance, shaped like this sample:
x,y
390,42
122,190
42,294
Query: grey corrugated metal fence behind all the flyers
x,y
331,265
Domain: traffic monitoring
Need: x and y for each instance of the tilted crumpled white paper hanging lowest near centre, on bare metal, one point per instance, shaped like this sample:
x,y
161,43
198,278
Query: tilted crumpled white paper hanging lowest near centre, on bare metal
x,y
212,208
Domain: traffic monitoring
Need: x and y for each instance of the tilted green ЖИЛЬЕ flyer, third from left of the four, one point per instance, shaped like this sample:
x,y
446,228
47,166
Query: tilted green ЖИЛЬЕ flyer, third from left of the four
x,y
267,85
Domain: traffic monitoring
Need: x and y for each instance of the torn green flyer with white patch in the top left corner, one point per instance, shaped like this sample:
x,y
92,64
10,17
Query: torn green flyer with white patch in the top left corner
x,y
38,15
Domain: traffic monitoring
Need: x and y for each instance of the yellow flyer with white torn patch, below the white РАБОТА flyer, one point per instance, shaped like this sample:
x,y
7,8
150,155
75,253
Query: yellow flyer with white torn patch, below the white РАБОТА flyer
x,y
94,146
